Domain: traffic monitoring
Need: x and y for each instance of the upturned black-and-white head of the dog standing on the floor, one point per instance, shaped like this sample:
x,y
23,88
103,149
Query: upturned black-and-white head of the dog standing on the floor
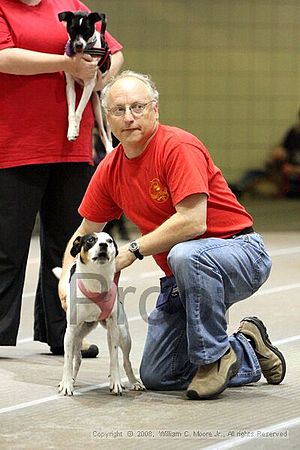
x,y
99,248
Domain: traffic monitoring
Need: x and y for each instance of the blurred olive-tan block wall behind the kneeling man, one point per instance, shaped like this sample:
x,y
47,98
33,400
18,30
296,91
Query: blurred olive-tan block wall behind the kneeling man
x,y
227,70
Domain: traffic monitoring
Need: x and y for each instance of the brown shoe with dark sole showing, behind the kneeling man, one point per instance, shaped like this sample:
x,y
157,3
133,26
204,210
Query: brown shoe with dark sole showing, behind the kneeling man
x,y
271,360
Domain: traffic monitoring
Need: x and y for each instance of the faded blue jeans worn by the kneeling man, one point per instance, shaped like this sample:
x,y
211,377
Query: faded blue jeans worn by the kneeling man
x,y
187,328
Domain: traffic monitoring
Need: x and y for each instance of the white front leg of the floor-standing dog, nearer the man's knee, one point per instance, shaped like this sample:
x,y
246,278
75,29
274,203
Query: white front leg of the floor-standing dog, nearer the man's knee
x,y
115,384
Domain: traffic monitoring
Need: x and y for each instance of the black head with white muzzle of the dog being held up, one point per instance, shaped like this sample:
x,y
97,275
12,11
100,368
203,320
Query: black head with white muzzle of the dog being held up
x,y
80,27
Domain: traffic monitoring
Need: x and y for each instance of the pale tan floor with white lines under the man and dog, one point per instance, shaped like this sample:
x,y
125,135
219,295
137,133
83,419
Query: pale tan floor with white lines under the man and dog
x,y
258,416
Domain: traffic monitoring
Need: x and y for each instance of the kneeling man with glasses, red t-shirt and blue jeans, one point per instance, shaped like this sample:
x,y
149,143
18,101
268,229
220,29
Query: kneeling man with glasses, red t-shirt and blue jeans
x,y
165,181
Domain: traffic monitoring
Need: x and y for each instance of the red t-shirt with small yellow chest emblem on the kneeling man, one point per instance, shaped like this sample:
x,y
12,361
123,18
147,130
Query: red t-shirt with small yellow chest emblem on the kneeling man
x,y
174,165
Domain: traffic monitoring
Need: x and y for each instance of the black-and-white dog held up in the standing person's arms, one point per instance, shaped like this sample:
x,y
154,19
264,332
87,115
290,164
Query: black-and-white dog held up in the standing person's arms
x,y
84,38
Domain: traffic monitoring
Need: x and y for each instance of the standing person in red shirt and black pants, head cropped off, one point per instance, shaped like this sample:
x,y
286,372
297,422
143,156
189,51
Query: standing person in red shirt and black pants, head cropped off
x,y
41,171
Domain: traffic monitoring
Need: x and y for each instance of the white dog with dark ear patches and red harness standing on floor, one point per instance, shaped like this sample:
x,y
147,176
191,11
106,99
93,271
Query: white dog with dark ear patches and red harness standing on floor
x,y
91,298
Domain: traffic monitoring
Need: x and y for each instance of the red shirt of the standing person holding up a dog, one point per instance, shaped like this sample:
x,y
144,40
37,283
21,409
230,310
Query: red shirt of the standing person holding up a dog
x,y
33,109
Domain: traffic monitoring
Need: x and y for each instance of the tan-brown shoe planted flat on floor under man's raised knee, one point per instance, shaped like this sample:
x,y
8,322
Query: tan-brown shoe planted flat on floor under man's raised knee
x,y
211,379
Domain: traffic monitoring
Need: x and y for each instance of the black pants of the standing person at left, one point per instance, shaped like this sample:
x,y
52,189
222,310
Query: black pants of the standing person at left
x,y
55,191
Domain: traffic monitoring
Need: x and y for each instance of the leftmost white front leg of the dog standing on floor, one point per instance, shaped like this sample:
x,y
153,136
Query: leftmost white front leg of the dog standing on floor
x,y
66,385
